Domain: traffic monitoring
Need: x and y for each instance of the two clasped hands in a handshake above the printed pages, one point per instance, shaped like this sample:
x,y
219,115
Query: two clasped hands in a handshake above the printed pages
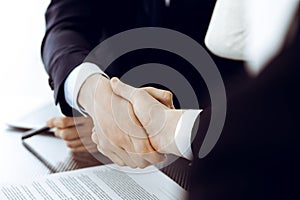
x,y
132,126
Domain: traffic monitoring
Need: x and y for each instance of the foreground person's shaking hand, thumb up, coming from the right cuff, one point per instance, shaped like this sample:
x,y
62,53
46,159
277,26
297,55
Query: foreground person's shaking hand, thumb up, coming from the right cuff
x,y
158,120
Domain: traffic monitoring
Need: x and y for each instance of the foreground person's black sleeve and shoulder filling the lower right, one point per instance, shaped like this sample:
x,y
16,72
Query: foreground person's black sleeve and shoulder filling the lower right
x,y
257,154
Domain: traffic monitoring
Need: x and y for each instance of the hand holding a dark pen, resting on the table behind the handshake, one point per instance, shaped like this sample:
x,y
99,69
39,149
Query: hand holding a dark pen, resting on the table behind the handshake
x,y
76,132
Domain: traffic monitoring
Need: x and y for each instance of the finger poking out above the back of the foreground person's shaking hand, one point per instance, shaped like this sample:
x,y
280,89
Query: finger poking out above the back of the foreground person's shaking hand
x,y
164,96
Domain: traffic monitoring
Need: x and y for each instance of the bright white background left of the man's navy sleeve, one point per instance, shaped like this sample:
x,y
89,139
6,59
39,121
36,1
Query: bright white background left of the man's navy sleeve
x,y
23,80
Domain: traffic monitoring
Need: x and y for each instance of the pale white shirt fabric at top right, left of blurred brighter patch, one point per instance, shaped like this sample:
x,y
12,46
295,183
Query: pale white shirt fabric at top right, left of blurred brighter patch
x,y
227,31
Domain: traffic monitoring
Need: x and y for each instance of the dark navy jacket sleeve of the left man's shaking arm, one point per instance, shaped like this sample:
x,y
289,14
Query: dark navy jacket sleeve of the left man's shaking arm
x,y
72,30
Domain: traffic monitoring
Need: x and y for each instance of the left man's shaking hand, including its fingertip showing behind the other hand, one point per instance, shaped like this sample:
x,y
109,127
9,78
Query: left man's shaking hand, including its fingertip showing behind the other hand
x,y
117,132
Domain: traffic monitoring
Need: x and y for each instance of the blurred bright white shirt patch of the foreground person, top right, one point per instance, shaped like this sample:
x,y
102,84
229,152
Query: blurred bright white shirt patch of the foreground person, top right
x,y
268,22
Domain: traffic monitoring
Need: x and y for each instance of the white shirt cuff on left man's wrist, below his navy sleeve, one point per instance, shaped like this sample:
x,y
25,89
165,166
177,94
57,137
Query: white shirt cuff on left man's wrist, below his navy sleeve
x,y
75,80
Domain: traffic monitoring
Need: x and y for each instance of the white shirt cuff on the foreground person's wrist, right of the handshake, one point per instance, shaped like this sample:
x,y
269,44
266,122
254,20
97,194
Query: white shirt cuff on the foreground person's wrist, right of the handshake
x,y
184,131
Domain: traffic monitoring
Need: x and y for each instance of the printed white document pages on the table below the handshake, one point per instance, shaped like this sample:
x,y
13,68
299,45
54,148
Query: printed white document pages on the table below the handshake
x,y
101,182
